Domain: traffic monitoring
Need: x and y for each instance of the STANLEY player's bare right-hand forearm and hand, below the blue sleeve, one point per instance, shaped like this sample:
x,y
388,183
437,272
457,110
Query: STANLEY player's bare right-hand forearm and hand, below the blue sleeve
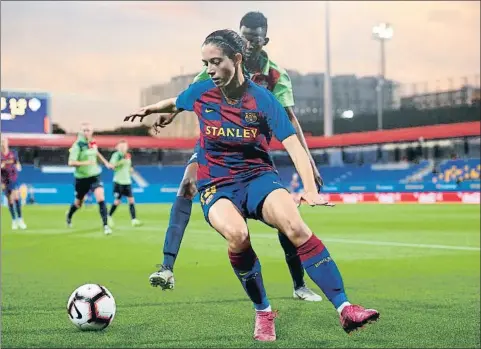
x,y
303,166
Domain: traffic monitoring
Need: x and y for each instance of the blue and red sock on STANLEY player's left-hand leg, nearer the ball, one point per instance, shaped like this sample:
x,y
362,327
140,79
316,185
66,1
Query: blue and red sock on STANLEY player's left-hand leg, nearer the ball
x,y
248,269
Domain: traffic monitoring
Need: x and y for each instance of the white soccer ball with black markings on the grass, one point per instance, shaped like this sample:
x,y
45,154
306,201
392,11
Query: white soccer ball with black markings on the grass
x,y
91,307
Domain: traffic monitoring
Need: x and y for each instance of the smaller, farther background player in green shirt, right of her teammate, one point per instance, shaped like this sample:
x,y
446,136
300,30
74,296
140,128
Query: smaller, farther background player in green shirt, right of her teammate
x,y
121,161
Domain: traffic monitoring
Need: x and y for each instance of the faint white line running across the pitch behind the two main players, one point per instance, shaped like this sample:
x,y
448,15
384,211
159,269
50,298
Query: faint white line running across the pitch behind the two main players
x,y
271,235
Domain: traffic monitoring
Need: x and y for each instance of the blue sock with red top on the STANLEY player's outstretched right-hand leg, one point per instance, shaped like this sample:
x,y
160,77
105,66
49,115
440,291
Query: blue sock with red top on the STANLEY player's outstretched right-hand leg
x,y
322,269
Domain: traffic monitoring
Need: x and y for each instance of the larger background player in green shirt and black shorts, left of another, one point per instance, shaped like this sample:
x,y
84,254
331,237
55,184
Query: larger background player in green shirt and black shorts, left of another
x,y
83,156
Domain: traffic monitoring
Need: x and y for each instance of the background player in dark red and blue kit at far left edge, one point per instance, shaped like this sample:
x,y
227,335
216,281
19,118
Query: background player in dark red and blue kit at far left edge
x,y
10,168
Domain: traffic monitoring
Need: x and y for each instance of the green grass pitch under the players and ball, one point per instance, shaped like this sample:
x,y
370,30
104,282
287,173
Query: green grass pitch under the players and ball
x,y
417,264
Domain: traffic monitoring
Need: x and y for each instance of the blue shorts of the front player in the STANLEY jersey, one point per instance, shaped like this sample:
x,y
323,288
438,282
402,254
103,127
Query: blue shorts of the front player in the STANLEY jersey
x,y
248,196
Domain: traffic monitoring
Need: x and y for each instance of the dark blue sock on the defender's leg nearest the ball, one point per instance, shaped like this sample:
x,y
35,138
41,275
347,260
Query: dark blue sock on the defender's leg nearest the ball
x,y
179,218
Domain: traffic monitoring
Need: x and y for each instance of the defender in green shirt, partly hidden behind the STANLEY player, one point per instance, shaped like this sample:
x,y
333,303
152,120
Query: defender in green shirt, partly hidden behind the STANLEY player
x,y
263,71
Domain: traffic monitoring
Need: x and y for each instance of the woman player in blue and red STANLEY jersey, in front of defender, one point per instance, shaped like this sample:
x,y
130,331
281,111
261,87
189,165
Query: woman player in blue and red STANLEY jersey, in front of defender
x,y
237,178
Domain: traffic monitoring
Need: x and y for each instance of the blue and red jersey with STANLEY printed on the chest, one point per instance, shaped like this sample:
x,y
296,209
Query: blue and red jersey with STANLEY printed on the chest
x,y
234,139
